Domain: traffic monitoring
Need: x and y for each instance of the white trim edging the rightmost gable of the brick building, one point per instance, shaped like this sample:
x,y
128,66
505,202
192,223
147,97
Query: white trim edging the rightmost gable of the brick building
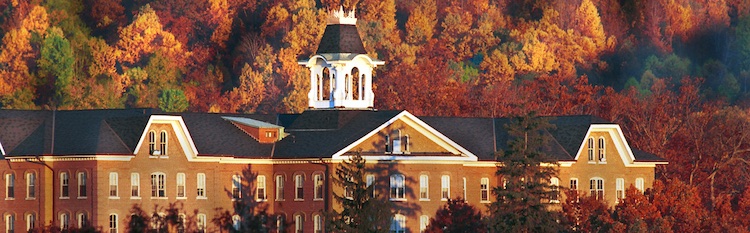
x,y
620,144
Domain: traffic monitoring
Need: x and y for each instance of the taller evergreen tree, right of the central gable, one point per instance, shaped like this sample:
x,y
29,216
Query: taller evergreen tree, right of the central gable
x,y
521,205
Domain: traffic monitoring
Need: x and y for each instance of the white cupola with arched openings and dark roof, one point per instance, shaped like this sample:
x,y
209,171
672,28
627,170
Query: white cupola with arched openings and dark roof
x,y
341,70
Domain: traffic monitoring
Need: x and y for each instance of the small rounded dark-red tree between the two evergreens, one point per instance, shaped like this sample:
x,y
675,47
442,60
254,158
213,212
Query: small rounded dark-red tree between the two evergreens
x,y
457,216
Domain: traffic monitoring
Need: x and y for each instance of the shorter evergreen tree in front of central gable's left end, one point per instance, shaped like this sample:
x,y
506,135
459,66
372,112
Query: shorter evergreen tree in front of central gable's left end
x,y
362,210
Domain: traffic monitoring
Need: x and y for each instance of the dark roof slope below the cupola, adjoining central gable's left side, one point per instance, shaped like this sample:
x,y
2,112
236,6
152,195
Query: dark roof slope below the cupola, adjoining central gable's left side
x,y
316,133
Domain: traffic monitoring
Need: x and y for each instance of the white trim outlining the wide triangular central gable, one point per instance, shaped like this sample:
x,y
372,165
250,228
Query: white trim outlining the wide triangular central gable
x,y
419,125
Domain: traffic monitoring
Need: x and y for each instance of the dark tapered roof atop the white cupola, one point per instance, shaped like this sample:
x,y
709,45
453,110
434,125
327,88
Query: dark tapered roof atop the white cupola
x,y
341,38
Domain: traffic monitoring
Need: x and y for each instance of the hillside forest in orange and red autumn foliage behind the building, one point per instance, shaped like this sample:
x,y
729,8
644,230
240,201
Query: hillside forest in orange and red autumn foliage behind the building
x,y
674,73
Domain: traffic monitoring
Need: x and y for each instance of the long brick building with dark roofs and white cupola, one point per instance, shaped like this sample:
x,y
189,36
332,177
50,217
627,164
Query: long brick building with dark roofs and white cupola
x,y
72,168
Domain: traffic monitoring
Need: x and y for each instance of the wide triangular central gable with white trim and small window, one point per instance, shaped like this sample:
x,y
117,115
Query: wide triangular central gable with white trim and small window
x,y
423,142
